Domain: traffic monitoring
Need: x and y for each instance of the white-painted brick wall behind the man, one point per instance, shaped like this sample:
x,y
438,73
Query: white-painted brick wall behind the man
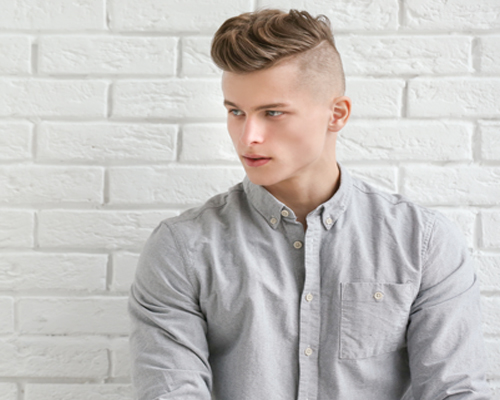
x,y
111,120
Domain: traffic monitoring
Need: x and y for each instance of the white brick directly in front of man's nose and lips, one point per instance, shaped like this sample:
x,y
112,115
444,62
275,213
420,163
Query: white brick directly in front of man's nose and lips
x,y
207,142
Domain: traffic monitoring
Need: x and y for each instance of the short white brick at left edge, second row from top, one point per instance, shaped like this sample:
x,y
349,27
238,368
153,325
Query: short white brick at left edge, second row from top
x,y
16,54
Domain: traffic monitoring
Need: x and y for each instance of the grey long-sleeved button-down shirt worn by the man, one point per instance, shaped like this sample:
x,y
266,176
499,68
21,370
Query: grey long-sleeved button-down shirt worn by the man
x,y
376,300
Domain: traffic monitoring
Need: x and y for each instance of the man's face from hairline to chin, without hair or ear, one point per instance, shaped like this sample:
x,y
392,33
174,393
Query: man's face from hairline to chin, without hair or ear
x,y
278,127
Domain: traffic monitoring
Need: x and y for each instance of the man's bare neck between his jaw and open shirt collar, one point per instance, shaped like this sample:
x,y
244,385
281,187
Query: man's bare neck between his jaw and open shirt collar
x,y
304,194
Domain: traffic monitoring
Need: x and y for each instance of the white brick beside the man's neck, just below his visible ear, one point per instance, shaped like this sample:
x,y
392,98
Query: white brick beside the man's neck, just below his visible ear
x,y
405,140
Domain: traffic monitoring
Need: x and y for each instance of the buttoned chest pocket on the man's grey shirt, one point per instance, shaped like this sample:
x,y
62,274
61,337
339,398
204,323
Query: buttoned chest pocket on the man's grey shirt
x,y
374,318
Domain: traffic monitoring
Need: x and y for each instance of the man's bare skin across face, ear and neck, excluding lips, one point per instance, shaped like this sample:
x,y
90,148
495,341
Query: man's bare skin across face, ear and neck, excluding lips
x,y
298,135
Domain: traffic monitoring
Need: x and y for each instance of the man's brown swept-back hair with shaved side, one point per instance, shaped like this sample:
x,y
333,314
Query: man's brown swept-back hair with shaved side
x,y
258,40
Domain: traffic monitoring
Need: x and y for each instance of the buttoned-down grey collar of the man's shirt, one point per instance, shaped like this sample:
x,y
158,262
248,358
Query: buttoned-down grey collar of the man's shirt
x,y
274,210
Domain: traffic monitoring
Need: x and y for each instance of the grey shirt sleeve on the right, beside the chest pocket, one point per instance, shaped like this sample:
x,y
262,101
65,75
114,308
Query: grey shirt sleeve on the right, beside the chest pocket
x,y
445,342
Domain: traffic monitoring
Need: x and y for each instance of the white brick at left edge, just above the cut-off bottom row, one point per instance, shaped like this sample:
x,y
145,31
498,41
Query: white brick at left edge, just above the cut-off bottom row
x,y
54,357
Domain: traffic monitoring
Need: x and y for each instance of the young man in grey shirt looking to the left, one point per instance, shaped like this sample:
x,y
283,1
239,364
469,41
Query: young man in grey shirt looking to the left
x,y
301,282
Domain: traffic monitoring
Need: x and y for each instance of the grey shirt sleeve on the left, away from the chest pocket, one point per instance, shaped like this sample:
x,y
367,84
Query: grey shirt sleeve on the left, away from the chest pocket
x,y
169,351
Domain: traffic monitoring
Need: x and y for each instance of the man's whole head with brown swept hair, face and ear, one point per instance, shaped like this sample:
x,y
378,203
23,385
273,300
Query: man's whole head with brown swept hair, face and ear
x,y
283,86
